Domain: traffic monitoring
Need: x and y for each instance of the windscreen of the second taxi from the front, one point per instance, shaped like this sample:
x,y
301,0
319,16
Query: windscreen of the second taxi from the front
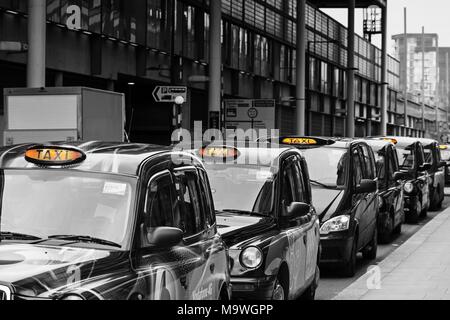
x,y
242,188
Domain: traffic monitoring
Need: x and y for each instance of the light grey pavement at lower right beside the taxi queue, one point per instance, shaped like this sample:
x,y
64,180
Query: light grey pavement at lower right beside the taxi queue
x,y
418,270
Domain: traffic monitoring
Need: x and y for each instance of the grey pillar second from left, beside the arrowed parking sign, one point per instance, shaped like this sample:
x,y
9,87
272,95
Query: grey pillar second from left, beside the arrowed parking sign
x,y
215,65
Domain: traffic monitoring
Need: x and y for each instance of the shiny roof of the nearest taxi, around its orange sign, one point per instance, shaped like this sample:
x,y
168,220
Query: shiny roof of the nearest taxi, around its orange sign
x,y
101,157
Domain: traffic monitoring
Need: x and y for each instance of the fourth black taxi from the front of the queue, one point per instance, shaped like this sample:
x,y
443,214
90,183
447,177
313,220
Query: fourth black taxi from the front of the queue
x,y
390,189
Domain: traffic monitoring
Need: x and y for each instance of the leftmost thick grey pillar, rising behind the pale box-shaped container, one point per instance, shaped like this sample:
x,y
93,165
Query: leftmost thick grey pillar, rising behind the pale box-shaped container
x,y
37,31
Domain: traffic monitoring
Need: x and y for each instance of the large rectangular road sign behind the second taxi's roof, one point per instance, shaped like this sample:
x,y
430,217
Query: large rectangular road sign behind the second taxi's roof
x,y
250,114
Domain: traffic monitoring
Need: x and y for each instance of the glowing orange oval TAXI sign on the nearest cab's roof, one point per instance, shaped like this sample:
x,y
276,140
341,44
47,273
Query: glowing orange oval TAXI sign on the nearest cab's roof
x,y
54,156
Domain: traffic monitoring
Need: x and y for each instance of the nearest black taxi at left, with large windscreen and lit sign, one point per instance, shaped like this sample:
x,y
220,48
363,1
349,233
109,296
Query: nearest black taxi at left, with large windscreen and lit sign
x,y
105,221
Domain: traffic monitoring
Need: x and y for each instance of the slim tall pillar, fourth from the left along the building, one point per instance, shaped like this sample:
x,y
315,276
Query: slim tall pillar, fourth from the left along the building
x,y
351,70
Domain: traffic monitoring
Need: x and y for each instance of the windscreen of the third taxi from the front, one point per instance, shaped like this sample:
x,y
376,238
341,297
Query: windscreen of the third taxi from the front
x,y
327,167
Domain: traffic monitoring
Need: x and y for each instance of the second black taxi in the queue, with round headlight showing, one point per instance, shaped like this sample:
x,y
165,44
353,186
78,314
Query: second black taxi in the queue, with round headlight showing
x,y
263,200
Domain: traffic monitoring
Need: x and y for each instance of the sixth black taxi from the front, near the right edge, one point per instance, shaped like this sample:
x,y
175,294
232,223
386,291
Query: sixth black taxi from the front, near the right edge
x,y
436,172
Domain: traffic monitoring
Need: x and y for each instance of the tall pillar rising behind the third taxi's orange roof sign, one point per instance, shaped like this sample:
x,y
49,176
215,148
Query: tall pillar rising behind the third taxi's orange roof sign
x,y
301,68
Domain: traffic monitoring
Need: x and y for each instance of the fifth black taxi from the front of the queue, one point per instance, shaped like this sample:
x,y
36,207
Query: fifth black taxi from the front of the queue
x,y
411,156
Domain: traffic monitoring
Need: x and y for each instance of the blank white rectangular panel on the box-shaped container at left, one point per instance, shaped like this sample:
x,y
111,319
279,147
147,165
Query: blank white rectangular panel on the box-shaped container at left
x,y
44,112
